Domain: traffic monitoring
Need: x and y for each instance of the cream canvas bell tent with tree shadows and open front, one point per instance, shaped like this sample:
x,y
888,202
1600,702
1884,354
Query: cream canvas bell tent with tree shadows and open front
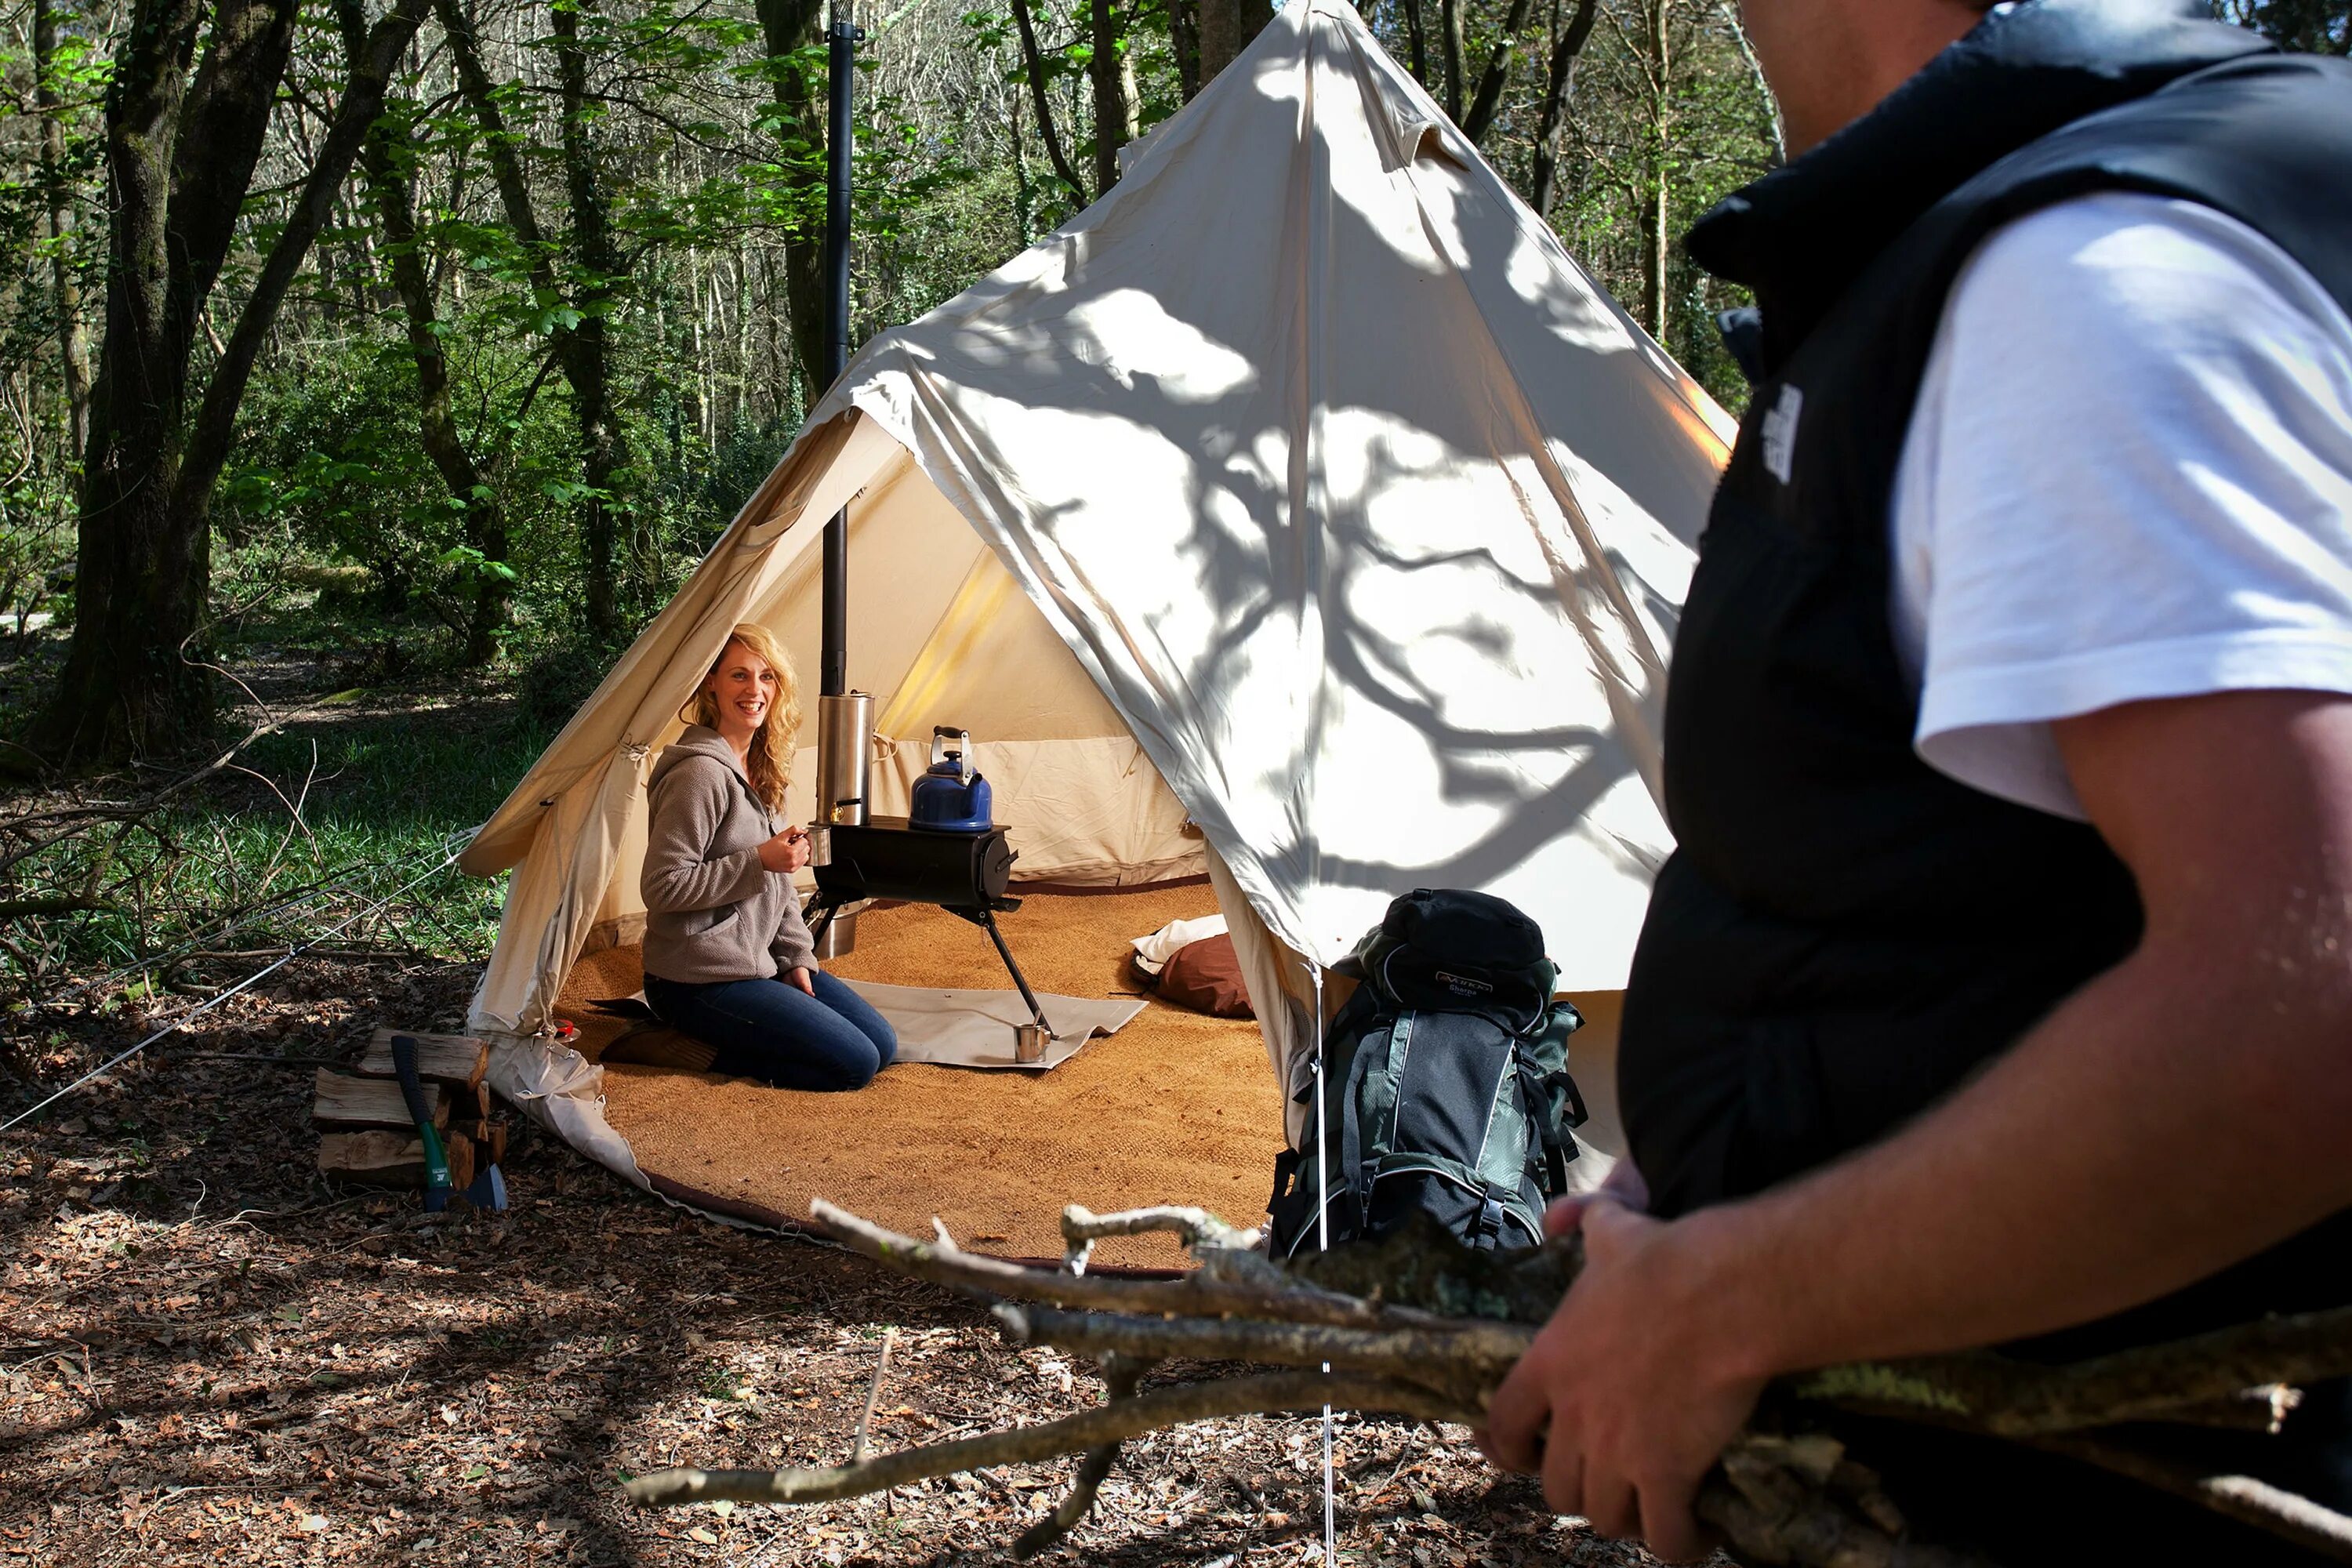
x,y
1299,514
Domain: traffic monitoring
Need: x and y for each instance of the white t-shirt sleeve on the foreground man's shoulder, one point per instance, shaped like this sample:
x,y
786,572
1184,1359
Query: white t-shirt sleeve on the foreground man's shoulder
x,y
2127,476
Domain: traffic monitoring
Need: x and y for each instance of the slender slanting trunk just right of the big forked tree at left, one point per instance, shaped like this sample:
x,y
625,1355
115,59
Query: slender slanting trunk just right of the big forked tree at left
x,y
436,415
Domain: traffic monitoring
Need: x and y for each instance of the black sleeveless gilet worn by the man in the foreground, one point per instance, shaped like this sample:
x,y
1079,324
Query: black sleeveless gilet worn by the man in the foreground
x,y
1845,934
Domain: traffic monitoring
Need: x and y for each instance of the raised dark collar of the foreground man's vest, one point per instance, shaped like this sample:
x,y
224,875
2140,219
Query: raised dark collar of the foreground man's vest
x,y
1805,232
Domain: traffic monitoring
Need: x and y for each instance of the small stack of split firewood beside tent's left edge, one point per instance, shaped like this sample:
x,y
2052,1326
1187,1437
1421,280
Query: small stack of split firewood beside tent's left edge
x,y
366,1127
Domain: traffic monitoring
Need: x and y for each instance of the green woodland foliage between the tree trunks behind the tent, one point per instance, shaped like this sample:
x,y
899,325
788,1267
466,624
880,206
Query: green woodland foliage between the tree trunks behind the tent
x,y
707,159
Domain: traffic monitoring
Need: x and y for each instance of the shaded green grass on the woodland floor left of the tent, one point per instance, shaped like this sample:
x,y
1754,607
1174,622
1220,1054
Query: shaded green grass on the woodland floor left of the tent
x,y
392,760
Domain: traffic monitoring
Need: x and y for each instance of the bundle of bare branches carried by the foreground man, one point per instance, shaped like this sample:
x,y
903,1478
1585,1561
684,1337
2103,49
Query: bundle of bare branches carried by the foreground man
x,y
1429,1329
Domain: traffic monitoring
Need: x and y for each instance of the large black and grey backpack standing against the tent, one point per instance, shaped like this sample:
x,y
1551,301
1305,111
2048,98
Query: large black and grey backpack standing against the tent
x,y
1445,1083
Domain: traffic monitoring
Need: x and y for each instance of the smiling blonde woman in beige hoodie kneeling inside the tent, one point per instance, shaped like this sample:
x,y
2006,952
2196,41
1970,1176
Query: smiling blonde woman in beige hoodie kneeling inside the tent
x,y
728,956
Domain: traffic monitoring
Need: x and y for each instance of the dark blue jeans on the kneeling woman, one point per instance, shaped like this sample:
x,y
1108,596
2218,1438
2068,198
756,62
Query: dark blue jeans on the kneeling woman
x,y
777,1033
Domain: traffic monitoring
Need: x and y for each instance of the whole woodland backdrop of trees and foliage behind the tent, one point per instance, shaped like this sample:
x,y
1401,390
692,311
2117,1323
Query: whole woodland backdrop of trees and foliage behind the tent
x,y
483,316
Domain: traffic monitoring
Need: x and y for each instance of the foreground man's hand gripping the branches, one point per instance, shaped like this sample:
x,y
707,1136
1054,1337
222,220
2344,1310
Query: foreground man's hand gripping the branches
x,y
1631,1391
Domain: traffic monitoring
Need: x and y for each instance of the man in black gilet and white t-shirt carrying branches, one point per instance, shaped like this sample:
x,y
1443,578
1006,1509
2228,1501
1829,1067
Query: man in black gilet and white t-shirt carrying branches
x,y
2003,979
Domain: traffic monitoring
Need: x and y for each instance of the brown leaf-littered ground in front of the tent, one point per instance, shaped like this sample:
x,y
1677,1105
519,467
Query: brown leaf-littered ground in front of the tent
x,y
211,1358
